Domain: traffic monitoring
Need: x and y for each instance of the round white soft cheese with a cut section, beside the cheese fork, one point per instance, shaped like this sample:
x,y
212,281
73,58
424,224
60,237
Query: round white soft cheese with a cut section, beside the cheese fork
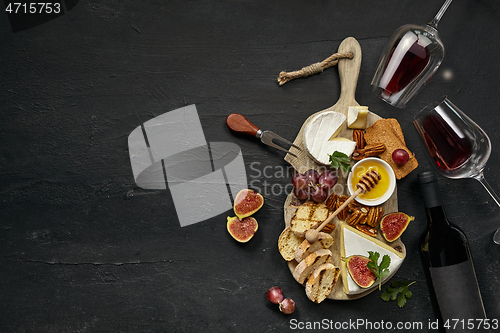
x,y
320,137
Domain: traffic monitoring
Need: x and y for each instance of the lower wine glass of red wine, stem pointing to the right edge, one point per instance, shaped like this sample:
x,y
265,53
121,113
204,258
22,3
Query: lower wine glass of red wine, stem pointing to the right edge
x,y
458,147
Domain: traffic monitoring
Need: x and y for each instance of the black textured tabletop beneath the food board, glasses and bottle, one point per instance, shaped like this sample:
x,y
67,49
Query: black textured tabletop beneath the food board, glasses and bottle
x,y
83,249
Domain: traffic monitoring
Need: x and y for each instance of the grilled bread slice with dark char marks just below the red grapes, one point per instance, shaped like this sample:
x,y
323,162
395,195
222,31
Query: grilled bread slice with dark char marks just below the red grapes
x,y
308,215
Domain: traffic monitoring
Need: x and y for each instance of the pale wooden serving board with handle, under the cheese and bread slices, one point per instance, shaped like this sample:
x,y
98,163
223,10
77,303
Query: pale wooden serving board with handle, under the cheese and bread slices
x,y
348,73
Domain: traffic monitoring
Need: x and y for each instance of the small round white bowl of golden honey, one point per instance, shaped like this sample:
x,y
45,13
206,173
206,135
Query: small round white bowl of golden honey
x,y
385,185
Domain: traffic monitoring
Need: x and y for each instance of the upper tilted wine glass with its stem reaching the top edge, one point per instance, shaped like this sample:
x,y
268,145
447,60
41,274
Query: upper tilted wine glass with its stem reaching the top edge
x,y
410,58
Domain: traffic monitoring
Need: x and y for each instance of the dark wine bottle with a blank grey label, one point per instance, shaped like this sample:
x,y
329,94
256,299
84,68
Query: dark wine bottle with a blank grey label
x,y
448,266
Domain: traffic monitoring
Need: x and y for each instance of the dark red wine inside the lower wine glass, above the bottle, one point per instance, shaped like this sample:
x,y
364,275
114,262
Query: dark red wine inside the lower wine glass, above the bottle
x,y
448,146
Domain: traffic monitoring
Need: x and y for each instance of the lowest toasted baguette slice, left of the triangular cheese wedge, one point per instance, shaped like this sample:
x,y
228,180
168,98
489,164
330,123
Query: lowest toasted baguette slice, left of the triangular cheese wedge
x,y
320,283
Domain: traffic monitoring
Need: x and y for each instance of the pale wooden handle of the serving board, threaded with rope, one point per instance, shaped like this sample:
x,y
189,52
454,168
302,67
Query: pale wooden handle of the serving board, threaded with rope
x,y
348,73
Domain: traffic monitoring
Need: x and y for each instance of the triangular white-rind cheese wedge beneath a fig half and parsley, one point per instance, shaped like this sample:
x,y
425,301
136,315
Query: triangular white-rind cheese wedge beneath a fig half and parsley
x,y
354,242
